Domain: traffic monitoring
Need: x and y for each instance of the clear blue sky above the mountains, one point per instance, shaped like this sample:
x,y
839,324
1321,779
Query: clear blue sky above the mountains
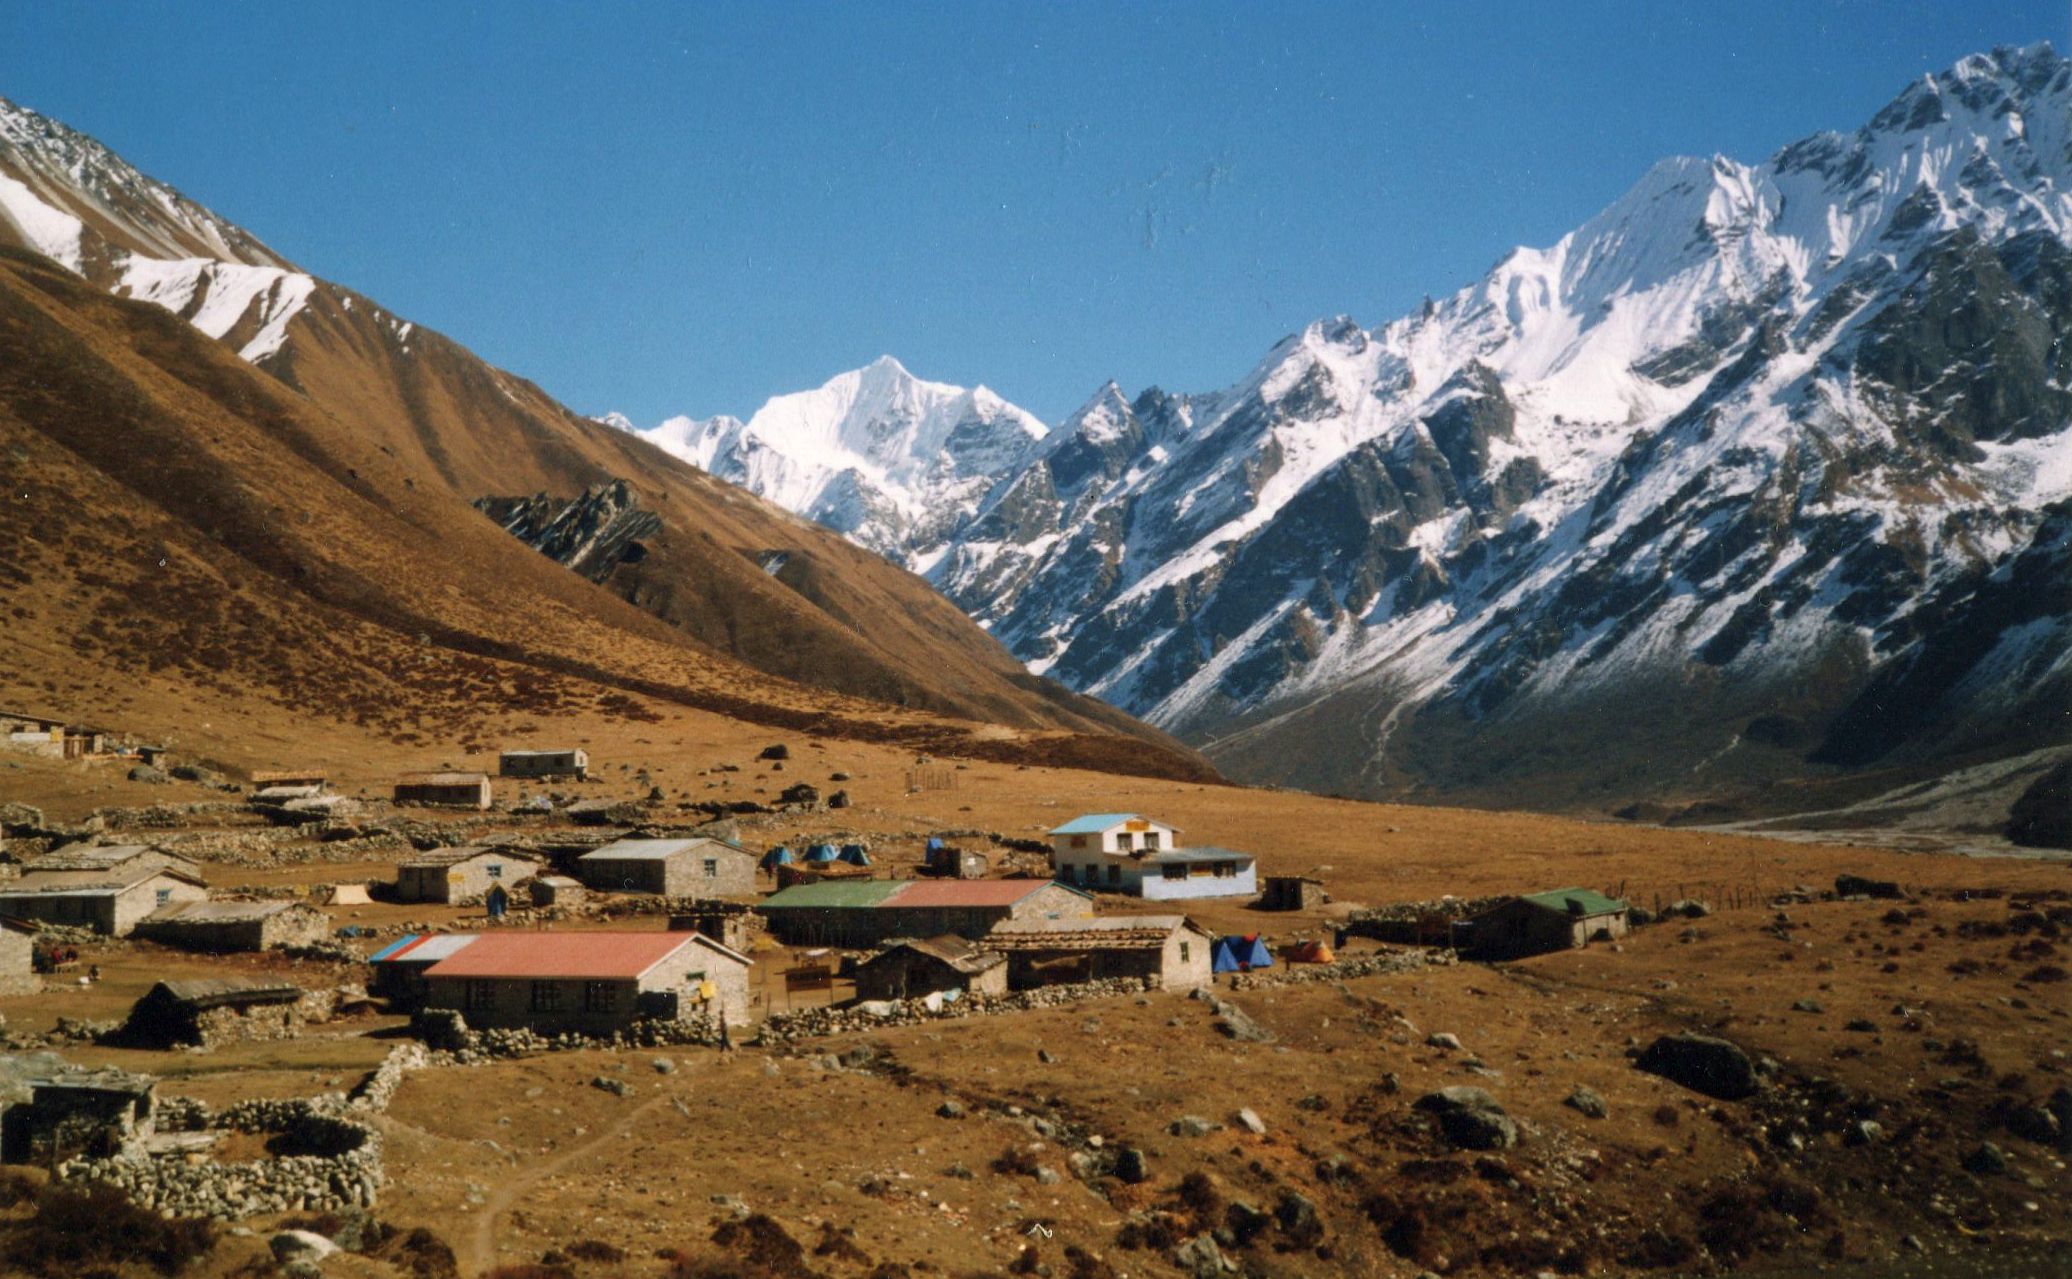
x,y
693,208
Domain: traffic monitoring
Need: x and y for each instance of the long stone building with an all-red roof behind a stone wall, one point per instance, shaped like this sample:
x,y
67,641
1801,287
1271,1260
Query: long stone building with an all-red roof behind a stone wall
x,y
592,984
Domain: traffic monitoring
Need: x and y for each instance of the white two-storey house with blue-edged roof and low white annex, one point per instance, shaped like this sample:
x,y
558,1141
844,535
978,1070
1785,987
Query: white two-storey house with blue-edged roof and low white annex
x,y
1128,853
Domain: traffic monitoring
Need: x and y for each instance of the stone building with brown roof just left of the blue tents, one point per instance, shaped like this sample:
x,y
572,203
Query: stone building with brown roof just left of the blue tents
x,y
1165,948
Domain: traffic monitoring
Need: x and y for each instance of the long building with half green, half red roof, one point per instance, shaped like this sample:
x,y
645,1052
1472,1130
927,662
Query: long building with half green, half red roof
x,y
869,913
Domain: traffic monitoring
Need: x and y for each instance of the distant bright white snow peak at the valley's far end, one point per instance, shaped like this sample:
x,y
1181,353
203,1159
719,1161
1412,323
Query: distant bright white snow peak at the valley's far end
x,y
877,455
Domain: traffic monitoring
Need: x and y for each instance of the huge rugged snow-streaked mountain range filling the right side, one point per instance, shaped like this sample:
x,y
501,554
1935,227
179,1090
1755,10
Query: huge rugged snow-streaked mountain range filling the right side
x,y
1737,478
